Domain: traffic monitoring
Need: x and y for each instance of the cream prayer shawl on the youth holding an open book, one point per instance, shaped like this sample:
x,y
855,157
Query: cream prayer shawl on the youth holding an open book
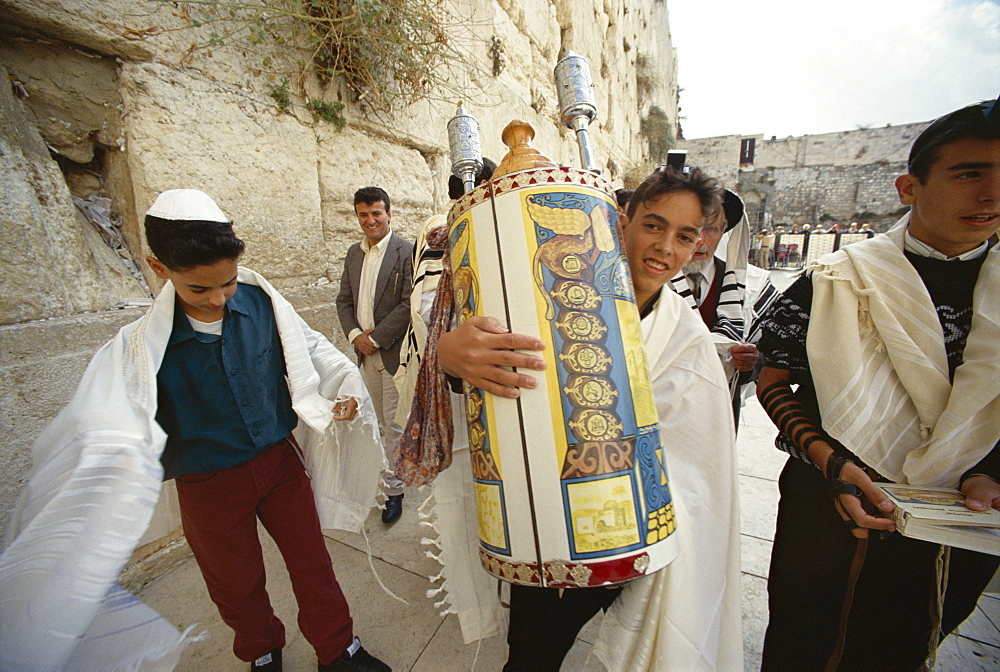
x,y
878,361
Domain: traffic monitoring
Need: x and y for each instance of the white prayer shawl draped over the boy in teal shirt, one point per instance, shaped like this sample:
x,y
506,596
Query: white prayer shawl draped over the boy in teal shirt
x,y
96,480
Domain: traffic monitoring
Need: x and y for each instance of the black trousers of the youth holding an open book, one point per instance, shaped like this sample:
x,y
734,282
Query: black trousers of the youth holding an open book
x,y
890,618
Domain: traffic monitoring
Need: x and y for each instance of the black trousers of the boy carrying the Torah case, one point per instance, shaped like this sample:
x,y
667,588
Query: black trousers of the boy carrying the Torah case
x,y
544,625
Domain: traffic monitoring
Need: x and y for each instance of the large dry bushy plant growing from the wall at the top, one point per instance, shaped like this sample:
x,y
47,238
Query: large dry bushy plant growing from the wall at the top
x,y
388,53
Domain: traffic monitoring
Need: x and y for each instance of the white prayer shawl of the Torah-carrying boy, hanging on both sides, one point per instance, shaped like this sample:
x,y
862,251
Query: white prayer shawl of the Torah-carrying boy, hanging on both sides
x,y
686,616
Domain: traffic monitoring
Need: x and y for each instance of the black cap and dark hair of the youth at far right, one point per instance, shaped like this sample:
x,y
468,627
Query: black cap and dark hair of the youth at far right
x,y
981,120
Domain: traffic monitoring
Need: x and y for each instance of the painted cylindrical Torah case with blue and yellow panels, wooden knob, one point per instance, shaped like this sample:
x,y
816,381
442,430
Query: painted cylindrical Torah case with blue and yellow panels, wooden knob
x,y
570,479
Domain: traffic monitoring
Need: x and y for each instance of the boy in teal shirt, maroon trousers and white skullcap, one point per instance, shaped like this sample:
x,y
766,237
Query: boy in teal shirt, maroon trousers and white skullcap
x,y
228,413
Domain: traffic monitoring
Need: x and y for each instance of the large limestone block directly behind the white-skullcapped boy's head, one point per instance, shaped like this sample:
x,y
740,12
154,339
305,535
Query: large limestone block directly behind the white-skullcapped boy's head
x,y
185,131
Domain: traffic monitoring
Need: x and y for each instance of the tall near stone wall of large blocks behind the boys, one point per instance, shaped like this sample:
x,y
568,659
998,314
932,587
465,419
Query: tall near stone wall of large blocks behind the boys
x,y
107,98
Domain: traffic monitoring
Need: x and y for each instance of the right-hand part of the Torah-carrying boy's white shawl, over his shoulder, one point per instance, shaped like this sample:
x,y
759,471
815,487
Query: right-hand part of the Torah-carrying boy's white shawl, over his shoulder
x,y
687,616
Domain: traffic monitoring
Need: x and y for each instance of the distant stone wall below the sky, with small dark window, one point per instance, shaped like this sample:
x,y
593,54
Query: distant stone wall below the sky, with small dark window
x,y
845,176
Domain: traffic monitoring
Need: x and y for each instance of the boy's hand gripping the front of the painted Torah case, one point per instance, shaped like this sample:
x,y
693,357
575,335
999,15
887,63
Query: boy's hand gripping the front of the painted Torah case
x,y
478,350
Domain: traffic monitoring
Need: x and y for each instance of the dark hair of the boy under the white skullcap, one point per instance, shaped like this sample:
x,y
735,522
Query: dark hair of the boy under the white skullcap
x,y
184,243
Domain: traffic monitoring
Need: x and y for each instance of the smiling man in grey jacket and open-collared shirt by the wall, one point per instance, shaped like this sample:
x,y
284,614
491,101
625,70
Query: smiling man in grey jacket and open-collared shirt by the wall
x,y
374,310
